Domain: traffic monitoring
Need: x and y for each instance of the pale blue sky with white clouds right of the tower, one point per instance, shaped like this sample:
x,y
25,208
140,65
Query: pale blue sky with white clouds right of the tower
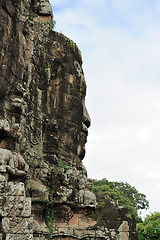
x,y
120,46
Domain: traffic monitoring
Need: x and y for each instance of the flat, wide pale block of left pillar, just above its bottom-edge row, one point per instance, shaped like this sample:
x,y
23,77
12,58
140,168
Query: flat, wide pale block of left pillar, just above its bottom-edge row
x,y
17,225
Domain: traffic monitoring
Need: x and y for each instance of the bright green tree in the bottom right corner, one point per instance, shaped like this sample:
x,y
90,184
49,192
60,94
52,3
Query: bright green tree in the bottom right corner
x,y
150,228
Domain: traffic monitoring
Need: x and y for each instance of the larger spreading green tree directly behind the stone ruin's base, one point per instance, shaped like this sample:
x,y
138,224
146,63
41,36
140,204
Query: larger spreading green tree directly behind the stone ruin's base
x,y
126,195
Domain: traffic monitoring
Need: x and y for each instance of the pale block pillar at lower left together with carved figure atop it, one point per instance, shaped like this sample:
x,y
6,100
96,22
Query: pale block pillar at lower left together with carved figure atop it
x,y
16,221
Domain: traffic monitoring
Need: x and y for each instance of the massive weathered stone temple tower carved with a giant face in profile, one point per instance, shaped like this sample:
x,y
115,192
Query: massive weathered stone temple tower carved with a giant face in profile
x,y
44,189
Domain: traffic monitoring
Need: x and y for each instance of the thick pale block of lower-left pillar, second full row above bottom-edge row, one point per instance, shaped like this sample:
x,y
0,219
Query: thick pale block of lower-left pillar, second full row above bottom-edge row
x,y
15,206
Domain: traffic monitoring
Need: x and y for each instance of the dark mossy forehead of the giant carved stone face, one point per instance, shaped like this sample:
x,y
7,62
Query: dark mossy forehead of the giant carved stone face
x,y
66,66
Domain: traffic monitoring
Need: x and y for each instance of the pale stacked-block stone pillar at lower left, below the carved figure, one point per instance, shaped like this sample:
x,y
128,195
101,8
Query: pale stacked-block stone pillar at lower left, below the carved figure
x,y
15,210
